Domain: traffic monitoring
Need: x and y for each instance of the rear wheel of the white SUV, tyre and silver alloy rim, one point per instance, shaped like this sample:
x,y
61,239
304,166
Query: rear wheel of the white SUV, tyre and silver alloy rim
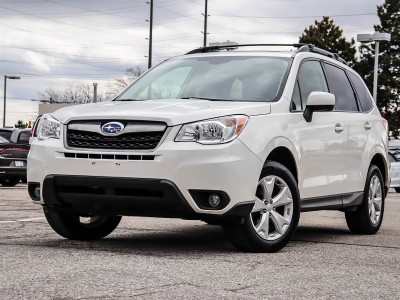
x,y
367,219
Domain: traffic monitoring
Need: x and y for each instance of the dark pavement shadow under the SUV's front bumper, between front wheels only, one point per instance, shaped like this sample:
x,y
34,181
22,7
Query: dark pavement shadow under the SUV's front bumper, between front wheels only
x,y
190,240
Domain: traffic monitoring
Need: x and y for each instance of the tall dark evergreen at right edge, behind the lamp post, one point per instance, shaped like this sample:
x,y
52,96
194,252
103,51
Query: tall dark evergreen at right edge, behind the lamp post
x,y
389,65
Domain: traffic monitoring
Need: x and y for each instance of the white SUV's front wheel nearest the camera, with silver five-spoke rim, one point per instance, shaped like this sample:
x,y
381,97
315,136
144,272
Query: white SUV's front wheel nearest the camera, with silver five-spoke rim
x,y
278,187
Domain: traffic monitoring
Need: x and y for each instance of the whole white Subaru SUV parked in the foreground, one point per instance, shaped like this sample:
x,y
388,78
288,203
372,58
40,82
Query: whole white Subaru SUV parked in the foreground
x,y
247,139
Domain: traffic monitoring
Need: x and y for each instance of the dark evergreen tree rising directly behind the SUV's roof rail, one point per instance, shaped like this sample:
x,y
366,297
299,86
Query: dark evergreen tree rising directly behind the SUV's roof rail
x,y
326,35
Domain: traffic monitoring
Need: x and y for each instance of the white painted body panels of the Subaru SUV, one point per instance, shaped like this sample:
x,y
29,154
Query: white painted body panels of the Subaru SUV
x,y
328,162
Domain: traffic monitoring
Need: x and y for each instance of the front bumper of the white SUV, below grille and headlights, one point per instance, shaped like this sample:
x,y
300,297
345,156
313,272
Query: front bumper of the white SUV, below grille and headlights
x,y
231,168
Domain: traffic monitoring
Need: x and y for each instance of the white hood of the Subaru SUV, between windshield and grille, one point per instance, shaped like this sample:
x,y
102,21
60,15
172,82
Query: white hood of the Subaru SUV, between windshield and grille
x,y
173,112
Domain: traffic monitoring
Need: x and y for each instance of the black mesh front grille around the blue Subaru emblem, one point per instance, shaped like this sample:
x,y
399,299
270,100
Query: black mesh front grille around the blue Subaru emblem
x,y
126,141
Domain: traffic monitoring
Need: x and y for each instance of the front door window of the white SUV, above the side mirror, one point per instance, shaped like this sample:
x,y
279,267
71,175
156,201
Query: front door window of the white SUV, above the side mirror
x,y
311,79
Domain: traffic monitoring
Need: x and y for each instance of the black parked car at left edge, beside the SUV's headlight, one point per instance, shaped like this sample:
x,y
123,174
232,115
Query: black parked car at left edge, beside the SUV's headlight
x,y
12,162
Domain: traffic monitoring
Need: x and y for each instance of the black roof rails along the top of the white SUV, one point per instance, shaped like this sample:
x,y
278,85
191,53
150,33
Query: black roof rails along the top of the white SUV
x,y
301,48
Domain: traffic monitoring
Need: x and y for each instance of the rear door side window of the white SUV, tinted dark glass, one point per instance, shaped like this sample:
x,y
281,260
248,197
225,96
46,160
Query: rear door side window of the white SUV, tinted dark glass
x,y
340,86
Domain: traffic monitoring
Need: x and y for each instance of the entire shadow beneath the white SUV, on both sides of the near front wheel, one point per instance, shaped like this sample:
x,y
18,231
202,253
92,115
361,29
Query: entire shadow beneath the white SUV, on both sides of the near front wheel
x,y
187,241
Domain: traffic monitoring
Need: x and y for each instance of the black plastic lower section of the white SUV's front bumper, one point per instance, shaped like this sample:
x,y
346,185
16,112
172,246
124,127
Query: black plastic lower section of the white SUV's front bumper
x,y
122,196
